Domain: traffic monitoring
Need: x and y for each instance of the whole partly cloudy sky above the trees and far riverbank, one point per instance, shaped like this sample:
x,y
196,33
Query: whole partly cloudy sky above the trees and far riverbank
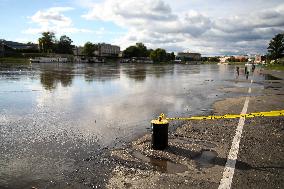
x,y
210,27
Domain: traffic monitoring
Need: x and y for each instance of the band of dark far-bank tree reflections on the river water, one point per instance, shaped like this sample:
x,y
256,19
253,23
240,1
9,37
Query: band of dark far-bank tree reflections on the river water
x,y
52,75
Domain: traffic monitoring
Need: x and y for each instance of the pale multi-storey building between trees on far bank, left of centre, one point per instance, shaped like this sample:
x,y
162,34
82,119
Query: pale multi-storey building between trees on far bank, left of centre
x,y
108,50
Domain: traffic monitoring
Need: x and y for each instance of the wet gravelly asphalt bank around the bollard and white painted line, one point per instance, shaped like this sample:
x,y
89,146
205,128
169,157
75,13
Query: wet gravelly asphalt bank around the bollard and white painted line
x,y
198,150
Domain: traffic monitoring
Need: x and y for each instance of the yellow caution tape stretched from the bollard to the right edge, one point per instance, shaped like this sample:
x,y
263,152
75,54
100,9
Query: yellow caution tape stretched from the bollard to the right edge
x,y
230,116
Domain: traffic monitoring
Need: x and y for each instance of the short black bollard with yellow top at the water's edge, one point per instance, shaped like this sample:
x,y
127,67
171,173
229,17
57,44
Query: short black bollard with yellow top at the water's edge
x,y
160,133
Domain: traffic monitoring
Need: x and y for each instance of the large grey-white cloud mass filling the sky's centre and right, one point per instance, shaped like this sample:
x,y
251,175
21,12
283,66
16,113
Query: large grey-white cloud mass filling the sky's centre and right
x,y
157,24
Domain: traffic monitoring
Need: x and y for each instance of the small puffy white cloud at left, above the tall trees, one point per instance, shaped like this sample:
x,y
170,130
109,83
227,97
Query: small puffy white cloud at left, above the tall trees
x,y
54,20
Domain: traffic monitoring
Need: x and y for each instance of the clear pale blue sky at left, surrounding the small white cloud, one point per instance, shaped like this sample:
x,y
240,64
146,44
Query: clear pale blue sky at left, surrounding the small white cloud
x,y
16,25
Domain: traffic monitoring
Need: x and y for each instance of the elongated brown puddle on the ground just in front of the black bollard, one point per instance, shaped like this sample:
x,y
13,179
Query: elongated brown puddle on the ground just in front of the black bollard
x,y
160,164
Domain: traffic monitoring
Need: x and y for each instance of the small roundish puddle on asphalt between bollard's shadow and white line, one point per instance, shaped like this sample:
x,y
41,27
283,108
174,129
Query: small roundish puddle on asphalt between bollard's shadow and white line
x,y
205,159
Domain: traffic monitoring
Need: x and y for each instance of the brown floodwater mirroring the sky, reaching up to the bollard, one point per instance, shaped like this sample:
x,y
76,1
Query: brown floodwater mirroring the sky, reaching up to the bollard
x,y
54,116
